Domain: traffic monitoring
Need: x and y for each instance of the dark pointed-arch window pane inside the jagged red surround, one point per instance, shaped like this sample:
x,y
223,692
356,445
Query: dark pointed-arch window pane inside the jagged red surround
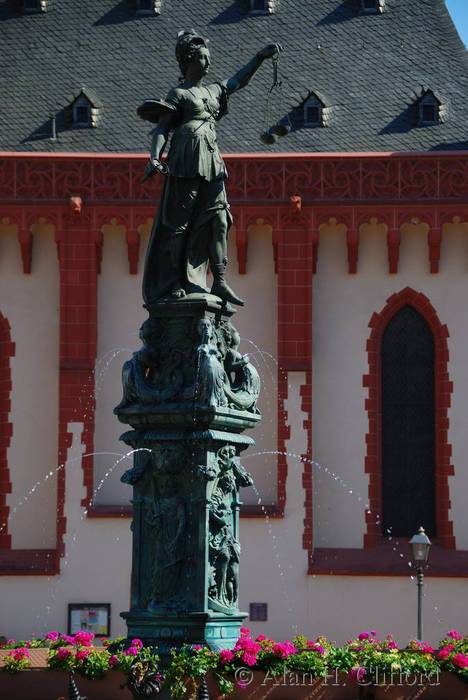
x,y
408,425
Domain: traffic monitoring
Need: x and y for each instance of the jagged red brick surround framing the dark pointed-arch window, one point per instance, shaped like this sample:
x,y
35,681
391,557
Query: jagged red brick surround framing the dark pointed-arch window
x,y
443,391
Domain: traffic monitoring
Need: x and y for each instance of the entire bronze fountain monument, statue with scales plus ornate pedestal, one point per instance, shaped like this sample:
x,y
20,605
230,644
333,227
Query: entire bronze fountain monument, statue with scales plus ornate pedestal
x,y
189,393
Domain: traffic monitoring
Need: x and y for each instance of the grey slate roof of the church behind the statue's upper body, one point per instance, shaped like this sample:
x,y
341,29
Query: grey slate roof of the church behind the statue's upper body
x,y
370,68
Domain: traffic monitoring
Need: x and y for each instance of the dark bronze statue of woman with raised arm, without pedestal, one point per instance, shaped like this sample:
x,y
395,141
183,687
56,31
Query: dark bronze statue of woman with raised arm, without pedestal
x,y
190,230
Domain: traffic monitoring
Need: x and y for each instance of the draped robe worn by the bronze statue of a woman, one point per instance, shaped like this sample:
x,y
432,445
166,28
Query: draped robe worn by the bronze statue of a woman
x,y
194,197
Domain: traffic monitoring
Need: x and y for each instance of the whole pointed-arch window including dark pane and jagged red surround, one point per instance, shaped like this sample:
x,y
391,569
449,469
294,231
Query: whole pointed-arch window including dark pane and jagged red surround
x,y
408,457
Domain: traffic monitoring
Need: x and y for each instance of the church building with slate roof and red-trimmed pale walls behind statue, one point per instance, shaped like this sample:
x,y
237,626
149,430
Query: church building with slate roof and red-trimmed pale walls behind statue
x,y
349,247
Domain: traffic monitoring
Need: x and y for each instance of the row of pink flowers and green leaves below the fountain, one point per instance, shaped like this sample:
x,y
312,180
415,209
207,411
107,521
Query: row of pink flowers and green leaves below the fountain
x,y
259,667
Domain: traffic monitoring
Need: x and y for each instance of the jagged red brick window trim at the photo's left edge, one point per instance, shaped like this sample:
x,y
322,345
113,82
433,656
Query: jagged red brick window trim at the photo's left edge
x,y
7,350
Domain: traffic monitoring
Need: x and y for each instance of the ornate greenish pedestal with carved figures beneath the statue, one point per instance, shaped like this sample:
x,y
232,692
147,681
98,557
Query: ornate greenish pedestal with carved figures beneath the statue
x,y
188,395
